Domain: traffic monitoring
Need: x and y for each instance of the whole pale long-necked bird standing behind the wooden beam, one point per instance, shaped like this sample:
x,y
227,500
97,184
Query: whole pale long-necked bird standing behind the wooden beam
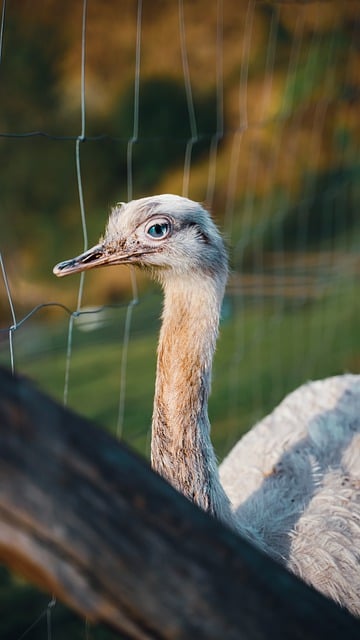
x,y
291,485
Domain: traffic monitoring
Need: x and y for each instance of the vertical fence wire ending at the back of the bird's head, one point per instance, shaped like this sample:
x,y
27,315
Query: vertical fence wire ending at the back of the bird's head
x,y
215,140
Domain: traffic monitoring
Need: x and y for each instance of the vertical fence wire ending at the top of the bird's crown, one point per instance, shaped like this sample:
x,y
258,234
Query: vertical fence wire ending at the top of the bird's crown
x,y
190,102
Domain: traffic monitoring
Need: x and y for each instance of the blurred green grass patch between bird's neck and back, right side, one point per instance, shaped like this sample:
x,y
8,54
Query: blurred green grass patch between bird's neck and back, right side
x,y
263,355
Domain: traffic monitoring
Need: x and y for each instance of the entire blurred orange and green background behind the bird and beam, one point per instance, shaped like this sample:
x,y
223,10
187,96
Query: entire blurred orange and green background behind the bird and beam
x,y
275,130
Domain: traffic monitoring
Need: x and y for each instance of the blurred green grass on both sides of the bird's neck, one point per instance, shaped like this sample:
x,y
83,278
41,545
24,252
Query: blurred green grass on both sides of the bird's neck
x,y
265,350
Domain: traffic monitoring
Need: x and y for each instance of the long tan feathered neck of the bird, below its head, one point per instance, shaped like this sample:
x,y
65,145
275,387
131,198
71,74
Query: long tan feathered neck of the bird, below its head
x,y
181,448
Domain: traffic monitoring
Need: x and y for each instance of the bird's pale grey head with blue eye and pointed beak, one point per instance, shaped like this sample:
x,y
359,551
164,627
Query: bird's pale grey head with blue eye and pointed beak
x,y
166,234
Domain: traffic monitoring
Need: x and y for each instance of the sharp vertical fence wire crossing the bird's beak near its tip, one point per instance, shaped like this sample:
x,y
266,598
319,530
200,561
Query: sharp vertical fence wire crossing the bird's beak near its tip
x,y
79,139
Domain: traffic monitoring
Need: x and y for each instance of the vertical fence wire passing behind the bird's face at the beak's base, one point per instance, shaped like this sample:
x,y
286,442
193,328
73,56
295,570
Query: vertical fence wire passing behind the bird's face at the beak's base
x,y
130,189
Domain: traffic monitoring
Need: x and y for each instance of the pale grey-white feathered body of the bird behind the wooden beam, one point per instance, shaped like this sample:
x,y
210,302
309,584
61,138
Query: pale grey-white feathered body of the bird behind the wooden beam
x,y
294,485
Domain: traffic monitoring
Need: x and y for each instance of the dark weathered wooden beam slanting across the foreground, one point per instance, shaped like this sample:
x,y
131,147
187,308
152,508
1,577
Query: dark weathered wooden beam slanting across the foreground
x,y
88,520
